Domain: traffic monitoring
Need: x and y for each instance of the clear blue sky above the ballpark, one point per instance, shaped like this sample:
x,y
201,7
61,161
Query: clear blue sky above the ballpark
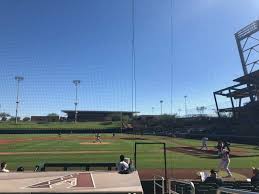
x,y
52,42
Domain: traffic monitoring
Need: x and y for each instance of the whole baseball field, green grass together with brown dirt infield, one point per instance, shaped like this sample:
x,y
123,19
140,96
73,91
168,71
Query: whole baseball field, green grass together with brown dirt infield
x,y
184,159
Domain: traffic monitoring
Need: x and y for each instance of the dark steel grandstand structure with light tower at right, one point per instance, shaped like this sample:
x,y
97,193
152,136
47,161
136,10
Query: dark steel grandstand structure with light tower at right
x,y
246,89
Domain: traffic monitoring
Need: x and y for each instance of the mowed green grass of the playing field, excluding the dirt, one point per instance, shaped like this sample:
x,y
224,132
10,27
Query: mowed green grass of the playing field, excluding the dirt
x,y
148,156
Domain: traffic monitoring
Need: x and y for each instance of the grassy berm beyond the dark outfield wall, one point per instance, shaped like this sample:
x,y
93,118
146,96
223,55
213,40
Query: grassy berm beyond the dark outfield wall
x,y
60,125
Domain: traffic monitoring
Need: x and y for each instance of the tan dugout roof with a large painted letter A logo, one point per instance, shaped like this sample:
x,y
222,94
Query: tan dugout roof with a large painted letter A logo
x,y
98,182
